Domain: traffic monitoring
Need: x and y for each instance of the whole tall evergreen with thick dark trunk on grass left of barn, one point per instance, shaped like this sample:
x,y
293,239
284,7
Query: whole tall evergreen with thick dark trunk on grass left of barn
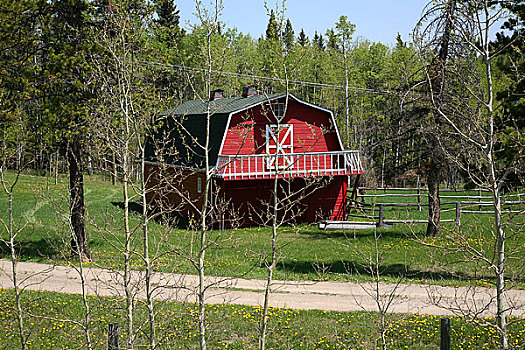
x,y
68,96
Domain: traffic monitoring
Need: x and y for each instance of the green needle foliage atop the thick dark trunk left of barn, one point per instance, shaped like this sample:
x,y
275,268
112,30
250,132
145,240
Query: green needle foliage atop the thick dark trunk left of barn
x,y
65,80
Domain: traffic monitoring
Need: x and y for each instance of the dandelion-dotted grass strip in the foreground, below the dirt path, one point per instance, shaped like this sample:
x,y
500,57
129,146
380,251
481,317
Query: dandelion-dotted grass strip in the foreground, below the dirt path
x,y
233,327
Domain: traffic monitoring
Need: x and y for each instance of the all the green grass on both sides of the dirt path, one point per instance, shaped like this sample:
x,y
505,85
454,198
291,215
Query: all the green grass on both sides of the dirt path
x,y
40,210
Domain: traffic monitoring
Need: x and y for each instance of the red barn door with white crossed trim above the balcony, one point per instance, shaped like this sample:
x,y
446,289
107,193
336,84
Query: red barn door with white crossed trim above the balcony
x,y
279,140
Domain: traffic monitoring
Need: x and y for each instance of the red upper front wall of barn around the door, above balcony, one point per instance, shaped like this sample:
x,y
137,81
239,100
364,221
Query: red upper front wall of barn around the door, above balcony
x,y
313,130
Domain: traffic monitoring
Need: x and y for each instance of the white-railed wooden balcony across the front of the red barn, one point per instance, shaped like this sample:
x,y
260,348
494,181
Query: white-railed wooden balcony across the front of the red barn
x,y
264,166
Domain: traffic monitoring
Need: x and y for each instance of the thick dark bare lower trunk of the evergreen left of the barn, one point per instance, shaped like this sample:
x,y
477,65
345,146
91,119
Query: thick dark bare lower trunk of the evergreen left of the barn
x,y
79,244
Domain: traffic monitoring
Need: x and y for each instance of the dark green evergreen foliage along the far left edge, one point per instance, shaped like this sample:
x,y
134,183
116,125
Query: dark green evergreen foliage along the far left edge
x,y
19,40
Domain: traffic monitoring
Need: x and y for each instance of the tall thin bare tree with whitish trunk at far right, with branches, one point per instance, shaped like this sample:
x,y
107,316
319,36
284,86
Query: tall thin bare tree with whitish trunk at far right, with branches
x,y
468,28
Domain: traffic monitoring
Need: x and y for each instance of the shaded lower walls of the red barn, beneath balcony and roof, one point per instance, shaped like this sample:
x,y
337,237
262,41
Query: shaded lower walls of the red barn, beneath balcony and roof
x,y
246,201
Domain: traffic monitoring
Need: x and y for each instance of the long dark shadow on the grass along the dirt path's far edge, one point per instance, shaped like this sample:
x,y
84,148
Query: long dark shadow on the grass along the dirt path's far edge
x,y
357,268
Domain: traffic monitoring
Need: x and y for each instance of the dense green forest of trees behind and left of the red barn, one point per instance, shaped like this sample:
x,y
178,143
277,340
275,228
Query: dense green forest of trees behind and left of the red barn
x,y
51,80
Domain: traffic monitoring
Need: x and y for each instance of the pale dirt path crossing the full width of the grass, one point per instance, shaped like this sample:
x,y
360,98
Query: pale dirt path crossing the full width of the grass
x,y
336,296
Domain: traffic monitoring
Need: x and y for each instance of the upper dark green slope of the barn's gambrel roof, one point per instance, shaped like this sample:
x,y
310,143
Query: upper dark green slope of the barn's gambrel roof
x,y
221,105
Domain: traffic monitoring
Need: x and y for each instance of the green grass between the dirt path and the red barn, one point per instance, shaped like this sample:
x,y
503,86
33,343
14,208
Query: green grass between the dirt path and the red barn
x,y
305,251
